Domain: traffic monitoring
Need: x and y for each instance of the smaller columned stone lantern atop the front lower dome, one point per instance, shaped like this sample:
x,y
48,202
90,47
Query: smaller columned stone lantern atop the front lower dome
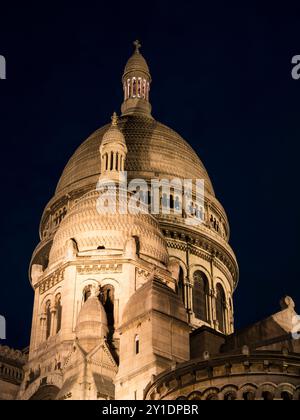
x,y
113,151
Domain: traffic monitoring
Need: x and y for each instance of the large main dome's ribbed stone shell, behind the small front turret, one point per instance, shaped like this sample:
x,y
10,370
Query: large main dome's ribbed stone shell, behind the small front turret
x,y
153,150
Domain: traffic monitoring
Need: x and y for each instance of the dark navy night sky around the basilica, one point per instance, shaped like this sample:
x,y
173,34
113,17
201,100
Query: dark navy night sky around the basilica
x,y
221,78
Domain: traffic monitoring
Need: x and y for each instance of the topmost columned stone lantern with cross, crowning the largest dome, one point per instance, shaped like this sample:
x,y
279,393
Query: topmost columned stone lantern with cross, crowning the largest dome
x,y
136,85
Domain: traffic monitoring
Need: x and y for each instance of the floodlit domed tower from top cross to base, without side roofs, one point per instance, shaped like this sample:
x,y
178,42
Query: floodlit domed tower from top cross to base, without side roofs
x,y
118,293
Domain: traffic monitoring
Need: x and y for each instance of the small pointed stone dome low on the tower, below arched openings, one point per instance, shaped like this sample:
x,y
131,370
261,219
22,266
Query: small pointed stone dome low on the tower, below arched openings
x,y
91,323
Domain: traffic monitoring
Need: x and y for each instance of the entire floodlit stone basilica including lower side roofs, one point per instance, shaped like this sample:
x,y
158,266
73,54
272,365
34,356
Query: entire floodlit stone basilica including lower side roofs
x,y
139,304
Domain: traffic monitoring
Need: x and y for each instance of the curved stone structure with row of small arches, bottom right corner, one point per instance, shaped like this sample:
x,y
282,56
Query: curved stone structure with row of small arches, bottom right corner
x,y
261,375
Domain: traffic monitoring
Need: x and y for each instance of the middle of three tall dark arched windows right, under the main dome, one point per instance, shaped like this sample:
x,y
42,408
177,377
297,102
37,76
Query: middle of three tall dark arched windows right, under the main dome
x,y
200,296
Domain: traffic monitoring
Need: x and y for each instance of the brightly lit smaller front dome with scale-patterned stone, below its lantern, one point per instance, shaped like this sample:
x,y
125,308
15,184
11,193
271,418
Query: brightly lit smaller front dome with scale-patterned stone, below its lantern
x,y
91,230
